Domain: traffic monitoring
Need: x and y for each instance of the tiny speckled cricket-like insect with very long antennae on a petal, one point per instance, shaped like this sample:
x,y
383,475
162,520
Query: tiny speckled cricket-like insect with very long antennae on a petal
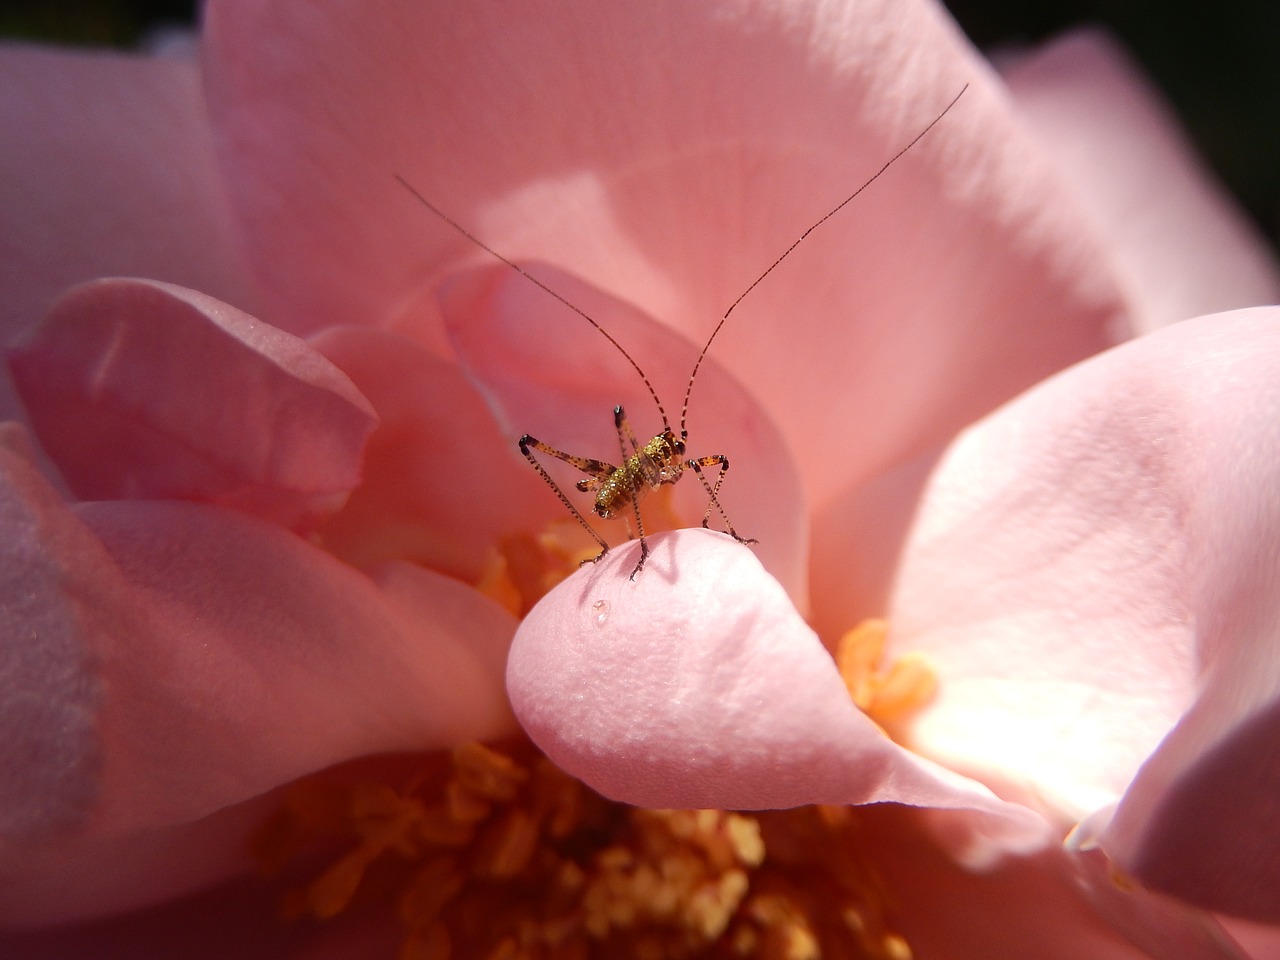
x,y
662,460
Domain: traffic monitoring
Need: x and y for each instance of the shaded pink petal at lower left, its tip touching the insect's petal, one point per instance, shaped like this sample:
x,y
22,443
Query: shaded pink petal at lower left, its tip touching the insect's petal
x,y
354,666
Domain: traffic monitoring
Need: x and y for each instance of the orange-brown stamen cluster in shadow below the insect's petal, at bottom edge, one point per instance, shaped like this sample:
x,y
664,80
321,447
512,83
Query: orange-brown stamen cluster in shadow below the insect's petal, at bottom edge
x,y
499,856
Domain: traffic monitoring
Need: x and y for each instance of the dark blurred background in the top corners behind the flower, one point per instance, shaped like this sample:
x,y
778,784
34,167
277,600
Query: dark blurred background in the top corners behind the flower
x,y
1217,62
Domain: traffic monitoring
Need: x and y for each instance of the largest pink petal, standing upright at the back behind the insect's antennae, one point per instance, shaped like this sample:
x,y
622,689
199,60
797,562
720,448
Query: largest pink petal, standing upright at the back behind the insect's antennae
x,y
959,280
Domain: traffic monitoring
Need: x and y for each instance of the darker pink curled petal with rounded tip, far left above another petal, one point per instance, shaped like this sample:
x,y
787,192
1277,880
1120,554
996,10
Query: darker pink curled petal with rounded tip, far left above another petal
x,y
141,390
